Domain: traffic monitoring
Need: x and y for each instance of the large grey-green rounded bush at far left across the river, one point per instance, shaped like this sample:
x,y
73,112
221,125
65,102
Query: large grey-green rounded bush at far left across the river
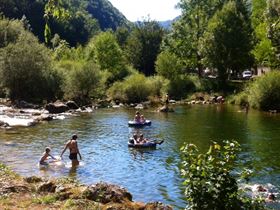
x,y
25,69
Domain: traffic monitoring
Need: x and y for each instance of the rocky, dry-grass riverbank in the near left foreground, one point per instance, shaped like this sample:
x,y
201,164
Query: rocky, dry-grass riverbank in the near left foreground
x,y
17,192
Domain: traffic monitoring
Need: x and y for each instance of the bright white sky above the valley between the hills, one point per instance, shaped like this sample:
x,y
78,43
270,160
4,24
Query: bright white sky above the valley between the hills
x,y
159,10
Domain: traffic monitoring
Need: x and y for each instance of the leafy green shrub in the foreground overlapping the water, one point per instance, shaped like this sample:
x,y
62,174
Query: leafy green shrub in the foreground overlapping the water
x,y
209,180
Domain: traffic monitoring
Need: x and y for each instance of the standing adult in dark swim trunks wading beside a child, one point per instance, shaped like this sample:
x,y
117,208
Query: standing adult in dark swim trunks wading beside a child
x,y
72,145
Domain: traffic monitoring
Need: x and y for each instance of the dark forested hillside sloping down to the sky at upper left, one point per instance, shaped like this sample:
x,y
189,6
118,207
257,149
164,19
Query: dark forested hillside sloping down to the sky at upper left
x,y
87,17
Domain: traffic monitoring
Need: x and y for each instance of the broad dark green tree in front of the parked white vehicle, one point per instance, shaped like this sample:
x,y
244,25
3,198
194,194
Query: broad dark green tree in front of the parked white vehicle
x,y
228,41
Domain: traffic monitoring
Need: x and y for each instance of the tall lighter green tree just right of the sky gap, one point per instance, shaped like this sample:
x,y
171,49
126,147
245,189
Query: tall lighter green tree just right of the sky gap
x,y
185,39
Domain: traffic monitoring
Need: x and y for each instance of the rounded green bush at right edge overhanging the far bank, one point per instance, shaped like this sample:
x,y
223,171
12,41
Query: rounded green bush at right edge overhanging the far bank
x,y
264,92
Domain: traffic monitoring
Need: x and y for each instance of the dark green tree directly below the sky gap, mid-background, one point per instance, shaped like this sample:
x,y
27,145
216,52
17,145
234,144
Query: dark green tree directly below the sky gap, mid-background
x,y
143,46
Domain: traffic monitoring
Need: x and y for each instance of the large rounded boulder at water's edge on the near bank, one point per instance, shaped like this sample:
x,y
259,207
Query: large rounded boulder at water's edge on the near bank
x,y
105,193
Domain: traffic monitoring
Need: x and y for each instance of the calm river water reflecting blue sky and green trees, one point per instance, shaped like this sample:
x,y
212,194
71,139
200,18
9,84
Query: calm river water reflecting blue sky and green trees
x,y
150,175
